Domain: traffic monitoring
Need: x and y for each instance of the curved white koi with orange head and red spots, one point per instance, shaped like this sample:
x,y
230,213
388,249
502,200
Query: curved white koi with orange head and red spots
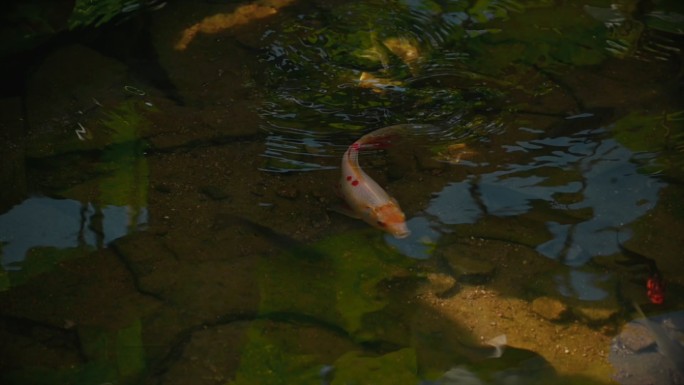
x,y
365,198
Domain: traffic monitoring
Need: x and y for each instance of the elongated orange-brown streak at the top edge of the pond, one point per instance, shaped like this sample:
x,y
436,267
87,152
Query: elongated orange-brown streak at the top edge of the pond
x,y
222,21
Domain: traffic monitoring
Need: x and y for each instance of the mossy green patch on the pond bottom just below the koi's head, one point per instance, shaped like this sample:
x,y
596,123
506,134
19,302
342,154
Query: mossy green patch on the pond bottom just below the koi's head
x,y
339,286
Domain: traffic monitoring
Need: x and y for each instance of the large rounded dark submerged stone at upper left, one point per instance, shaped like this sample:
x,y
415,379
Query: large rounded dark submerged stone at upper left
x,y
73,85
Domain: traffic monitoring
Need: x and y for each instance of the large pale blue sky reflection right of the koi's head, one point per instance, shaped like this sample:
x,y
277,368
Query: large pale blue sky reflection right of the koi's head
x,y
594,169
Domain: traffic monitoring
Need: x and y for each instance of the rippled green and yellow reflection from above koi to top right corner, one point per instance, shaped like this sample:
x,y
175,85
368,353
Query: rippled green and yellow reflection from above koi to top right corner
x,y
417,62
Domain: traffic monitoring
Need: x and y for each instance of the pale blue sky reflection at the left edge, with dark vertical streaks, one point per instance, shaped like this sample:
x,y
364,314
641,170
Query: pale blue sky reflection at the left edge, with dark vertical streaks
x,y
62,223
